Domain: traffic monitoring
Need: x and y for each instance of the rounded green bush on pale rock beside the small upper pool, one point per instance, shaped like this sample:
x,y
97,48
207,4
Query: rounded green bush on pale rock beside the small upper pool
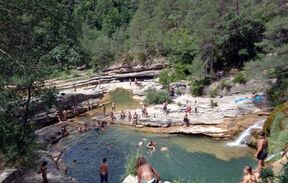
x,y
157,97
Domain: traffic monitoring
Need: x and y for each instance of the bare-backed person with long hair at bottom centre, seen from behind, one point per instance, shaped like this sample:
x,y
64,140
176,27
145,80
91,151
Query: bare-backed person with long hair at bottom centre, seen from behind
x,y
145,172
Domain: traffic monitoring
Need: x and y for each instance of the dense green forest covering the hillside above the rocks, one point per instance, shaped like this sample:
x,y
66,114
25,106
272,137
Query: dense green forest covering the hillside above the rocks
x,y
199,38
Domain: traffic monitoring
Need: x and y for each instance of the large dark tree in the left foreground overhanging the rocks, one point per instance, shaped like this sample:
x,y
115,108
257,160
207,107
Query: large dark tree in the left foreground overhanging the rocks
x,y
31,32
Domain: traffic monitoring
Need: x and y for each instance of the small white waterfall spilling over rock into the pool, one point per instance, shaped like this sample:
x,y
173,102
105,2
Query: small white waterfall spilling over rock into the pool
x,y
240,141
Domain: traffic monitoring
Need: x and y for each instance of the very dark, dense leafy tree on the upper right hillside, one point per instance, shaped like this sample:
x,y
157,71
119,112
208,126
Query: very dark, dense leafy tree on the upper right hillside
x,y
240,33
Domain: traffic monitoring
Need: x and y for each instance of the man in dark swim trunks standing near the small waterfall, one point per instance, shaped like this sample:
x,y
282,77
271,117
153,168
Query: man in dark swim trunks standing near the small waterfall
x,y
262,150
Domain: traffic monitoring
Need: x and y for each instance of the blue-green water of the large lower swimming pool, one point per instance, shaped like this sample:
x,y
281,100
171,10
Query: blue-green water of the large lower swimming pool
x,y
189,157
